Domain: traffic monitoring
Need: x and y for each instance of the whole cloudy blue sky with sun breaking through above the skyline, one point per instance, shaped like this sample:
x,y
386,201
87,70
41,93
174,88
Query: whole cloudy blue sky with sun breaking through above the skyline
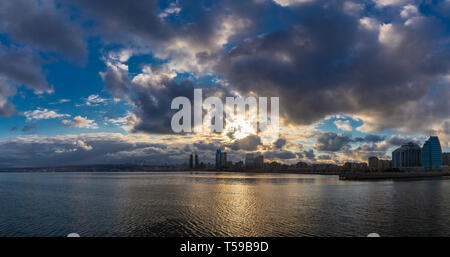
x,y
84,82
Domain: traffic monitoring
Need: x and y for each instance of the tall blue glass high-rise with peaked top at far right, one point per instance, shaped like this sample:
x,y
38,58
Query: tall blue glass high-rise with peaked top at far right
x,y
432,154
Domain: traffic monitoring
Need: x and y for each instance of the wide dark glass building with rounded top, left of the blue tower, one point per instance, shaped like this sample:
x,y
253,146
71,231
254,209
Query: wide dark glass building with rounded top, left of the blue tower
x,y
407,156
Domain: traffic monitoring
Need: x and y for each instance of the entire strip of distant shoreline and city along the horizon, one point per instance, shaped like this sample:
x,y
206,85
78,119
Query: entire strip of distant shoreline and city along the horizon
x,y
410,157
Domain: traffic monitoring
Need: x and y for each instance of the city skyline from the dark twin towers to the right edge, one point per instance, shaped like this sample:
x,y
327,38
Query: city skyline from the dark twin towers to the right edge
x,y
409,157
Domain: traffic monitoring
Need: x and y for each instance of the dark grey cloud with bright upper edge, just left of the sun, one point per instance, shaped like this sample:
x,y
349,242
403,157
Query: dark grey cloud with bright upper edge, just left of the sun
x,y
152,98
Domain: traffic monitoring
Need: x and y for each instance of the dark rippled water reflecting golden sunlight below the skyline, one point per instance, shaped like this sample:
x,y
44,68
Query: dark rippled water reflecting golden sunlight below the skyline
x,y
218,204
